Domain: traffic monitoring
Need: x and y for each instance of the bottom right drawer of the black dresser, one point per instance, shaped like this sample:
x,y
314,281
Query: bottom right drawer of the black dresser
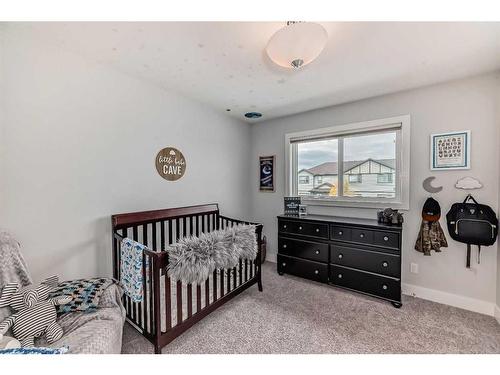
x,y
376,285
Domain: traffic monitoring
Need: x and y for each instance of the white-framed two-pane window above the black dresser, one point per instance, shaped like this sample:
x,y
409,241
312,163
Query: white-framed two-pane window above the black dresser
x,y
355,165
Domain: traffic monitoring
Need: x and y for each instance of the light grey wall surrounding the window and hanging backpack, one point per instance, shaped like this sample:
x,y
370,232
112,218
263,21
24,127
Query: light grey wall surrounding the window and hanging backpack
x,y
459,105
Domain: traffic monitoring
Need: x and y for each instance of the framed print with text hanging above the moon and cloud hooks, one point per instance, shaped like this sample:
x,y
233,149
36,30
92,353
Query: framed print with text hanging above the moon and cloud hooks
x,y
450,151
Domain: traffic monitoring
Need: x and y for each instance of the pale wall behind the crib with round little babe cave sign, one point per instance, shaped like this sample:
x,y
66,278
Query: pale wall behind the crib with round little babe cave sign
x,y
79,143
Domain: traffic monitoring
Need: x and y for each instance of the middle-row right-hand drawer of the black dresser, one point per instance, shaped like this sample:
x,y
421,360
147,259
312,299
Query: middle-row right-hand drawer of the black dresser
x,y
373,261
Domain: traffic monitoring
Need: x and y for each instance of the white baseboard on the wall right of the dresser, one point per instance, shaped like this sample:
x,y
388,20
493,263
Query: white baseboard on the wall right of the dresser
x,y
455,300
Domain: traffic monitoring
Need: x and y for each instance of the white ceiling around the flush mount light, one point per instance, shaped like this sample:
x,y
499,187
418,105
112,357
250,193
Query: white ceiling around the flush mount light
x,y
224,64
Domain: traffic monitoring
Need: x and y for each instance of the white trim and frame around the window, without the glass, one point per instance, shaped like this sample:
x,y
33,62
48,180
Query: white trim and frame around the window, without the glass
x,y
402,200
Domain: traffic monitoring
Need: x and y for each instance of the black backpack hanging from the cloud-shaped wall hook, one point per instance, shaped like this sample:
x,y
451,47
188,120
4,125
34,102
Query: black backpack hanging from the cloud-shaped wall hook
x,y
473,224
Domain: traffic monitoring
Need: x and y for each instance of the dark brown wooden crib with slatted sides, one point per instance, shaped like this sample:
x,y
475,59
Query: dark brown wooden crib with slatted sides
x,y
171,307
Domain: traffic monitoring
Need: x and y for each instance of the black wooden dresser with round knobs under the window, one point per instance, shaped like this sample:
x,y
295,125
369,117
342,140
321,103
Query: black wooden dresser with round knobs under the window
x,y
357,254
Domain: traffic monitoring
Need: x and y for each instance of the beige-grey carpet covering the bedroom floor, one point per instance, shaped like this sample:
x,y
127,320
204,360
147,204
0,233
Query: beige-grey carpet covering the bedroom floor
x,y
293,315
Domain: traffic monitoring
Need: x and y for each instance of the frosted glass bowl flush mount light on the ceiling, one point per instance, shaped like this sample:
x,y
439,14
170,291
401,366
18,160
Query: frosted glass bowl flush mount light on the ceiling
x,y
297,44
